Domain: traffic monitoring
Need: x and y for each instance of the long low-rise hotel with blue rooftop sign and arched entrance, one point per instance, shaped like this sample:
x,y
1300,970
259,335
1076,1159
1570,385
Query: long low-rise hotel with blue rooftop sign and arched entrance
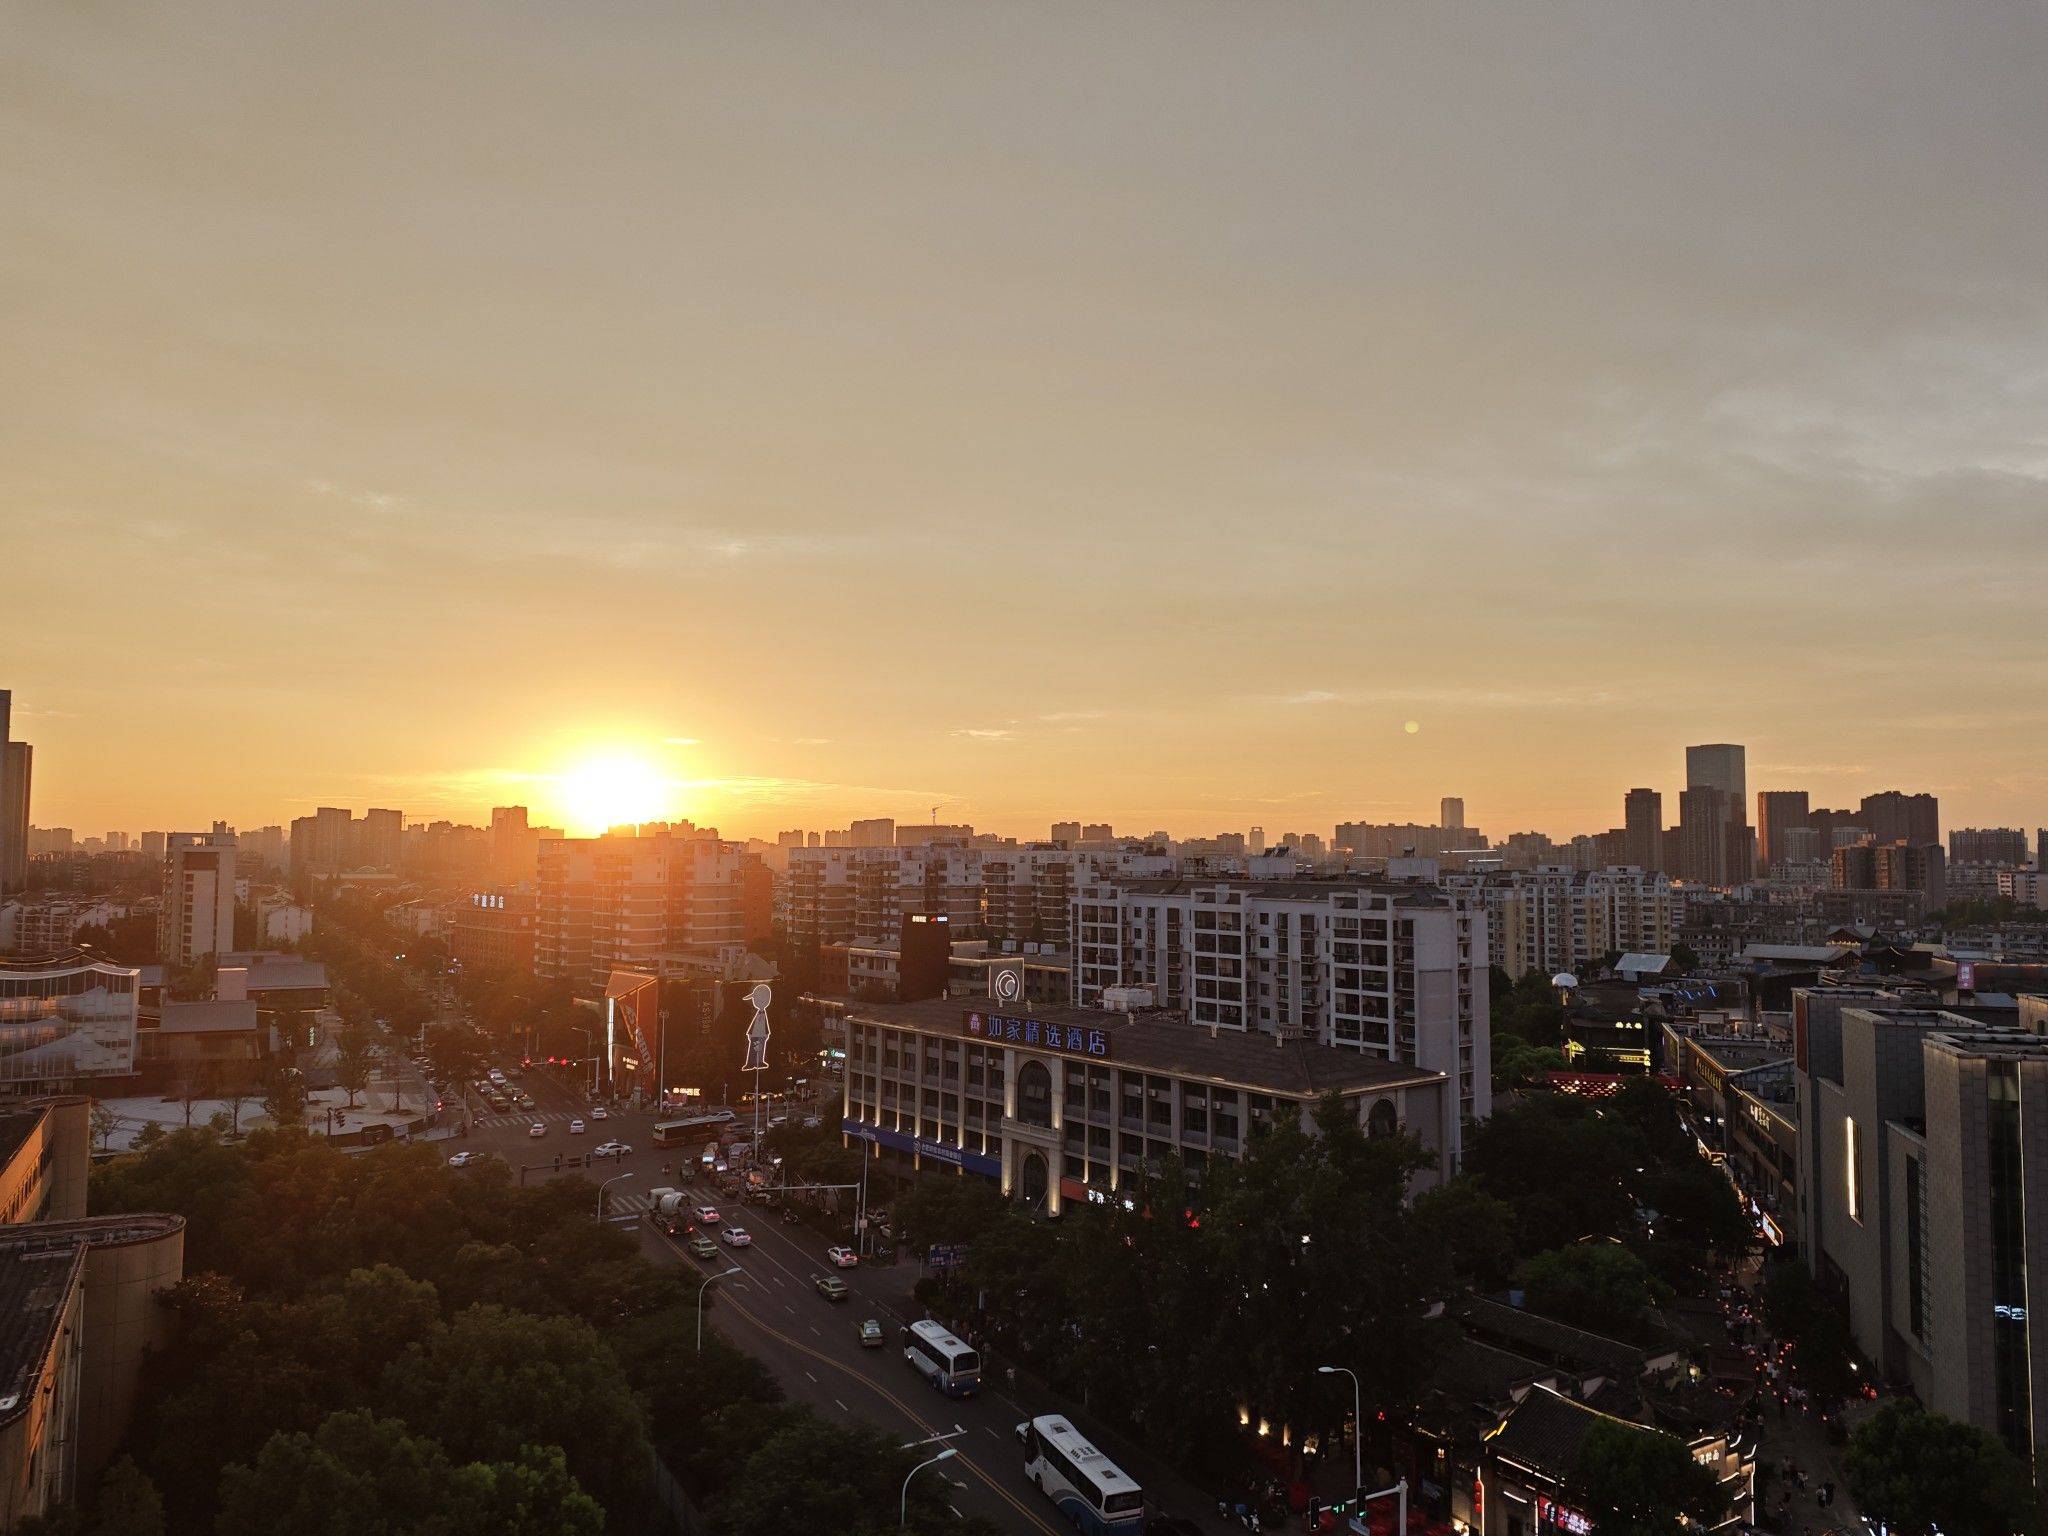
x,y
1068,1103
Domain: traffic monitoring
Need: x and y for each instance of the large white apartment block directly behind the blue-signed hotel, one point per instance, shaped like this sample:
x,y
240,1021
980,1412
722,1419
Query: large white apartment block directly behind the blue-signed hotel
x,y
1390,970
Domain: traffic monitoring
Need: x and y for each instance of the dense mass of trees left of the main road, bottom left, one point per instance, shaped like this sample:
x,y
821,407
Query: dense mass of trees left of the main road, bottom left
x,y
384,1345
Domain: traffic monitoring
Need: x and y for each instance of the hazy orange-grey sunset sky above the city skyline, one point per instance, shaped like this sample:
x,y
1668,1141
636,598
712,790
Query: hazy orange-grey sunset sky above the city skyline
x,y
1136,413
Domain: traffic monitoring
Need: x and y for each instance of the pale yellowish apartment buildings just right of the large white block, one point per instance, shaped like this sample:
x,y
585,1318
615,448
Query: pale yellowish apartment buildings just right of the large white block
x,y
1558,919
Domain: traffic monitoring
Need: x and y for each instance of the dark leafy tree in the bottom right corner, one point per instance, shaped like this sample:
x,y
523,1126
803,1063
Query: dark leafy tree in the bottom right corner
x,y
1918,1474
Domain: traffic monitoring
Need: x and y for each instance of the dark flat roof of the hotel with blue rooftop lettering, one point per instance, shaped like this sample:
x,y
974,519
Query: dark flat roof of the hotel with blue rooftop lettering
x,y
1170,1046
